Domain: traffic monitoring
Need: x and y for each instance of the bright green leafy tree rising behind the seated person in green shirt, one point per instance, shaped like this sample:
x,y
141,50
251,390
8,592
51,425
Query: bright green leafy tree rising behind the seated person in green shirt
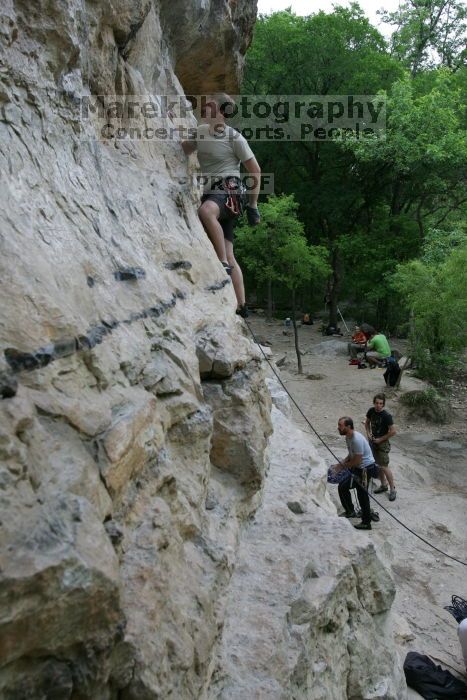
x,y
418,173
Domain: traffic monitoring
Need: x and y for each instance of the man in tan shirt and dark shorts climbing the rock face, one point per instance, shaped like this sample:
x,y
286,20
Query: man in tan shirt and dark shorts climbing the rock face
x,y
220,150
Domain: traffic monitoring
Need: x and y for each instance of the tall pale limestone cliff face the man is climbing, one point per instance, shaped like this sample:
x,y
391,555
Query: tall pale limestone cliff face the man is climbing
x,y
134,414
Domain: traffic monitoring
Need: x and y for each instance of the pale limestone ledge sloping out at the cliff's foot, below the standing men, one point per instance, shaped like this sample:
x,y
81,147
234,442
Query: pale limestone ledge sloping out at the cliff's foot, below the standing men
x,y
307,608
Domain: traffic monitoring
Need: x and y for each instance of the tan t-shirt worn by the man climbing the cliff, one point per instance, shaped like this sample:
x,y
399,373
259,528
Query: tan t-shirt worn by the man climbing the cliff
x,y
220,154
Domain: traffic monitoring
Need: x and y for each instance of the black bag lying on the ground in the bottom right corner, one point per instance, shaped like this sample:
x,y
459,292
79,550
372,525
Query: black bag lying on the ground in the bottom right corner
x,y
431,681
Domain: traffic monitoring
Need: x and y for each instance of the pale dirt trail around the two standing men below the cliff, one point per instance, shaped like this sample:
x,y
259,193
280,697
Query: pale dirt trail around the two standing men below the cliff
x,y
430,471
